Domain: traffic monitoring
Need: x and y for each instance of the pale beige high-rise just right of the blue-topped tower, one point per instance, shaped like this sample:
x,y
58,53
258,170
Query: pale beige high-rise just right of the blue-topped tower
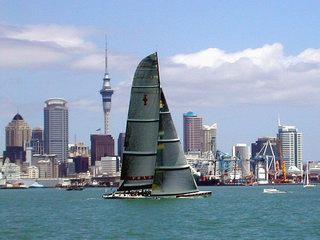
x,y
209,141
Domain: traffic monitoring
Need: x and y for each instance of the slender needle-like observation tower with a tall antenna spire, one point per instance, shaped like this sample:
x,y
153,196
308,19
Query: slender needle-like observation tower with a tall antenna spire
x,y
106,93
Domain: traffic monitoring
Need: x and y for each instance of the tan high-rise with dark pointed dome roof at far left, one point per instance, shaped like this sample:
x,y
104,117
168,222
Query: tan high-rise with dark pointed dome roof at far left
x,y
18,135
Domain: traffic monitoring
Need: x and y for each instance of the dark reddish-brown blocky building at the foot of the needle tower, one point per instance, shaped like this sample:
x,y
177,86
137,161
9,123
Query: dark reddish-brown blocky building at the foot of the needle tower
x,y
101,146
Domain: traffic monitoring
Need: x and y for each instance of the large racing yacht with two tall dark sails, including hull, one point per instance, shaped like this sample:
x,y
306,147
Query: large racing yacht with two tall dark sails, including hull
x,y
153,164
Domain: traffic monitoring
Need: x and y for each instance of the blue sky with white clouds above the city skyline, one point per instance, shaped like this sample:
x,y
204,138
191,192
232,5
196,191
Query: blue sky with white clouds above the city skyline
x,y
239,64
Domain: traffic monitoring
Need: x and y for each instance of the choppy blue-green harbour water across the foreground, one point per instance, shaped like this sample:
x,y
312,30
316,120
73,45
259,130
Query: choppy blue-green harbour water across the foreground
x,y
231,213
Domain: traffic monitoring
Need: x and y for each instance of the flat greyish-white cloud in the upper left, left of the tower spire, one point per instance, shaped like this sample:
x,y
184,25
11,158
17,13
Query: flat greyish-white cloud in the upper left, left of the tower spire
x,y
39,45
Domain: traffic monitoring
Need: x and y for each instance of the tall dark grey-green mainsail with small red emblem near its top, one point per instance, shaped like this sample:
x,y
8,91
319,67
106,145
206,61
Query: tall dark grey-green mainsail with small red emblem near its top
x,y
139,156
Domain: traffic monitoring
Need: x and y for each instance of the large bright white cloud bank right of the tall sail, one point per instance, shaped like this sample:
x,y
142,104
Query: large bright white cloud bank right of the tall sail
x,y
213,77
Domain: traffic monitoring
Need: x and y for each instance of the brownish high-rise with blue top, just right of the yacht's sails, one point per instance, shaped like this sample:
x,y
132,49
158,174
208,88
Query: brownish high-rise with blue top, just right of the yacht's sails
x,y
192,132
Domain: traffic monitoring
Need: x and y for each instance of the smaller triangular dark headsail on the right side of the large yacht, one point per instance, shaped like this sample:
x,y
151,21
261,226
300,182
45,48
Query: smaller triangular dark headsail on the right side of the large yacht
x,y
172,173
